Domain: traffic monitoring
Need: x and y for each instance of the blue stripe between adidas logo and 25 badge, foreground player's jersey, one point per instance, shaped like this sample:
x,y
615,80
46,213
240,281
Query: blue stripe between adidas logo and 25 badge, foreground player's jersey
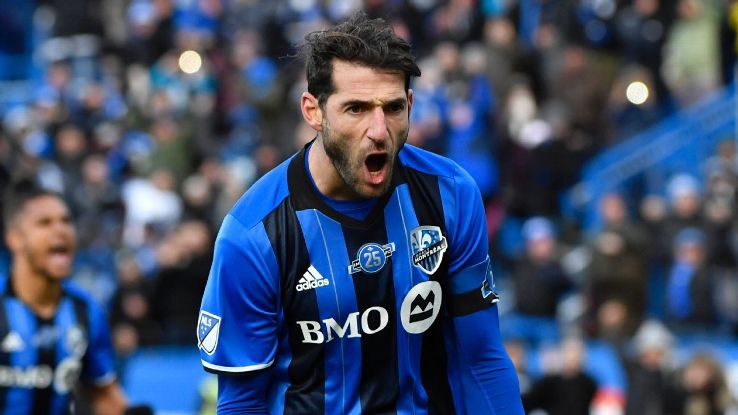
x,y
342,363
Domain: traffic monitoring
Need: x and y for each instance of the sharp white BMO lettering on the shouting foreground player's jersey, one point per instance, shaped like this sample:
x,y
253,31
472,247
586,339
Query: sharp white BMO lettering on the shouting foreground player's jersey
x,y
372,320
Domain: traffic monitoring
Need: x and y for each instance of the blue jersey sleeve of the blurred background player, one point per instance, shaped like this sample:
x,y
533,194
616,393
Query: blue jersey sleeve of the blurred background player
x,y
99,361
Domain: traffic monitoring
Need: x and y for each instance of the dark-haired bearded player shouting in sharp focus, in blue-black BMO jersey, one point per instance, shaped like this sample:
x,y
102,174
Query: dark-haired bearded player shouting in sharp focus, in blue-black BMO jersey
x,y
354,277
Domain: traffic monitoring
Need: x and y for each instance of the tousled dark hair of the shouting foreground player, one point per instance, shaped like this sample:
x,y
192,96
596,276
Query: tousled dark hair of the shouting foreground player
x,y
359,40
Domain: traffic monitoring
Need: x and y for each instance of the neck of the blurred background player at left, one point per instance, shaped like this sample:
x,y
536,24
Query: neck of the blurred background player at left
x,y
39,292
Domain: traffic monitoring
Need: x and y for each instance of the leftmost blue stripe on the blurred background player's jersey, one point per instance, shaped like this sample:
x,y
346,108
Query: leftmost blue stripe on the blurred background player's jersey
x,y
23,322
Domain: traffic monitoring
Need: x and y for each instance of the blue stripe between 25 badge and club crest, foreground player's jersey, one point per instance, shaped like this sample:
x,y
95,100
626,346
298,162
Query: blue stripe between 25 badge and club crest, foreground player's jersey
x,y
400,219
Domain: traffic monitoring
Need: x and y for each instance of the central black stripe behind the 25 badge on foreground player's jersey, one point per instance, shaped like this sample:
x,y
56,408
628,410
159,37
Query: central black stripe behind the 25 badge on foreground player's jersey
x,y
379,387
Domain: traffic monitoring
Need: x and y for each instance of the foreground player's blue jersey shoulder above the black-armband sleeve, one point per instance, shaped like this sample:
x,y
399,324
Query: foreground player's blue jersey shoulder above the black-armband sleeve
x,y
426,162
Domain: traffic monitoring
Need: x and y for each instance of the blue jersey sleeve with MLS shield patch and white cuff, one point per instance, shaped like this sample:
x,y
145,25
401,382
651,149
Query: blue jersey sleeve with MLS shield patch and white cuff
x,y
237,325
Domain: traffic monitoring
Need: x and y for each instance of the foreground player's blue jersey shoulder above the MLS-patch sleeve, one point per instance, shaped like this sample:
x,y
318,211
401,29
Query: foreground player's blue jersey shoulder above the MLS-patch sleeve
x,y
262,197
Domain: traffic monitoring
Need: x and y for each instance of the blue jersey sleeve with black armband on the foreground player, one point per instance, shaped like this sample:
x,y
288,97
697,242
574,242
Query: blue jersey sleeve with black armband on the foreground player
x,y
470,284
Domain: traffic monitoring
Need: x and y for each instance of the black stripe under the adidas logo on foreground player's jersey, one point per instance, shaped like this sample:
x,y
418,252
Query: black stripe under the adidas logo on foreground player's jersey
x,y
306,393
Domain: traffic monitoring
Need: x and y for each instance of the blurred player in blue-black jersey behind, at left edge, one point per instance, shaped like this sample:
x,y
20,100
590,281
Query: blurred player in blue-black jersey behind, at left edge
x,y
52,335
